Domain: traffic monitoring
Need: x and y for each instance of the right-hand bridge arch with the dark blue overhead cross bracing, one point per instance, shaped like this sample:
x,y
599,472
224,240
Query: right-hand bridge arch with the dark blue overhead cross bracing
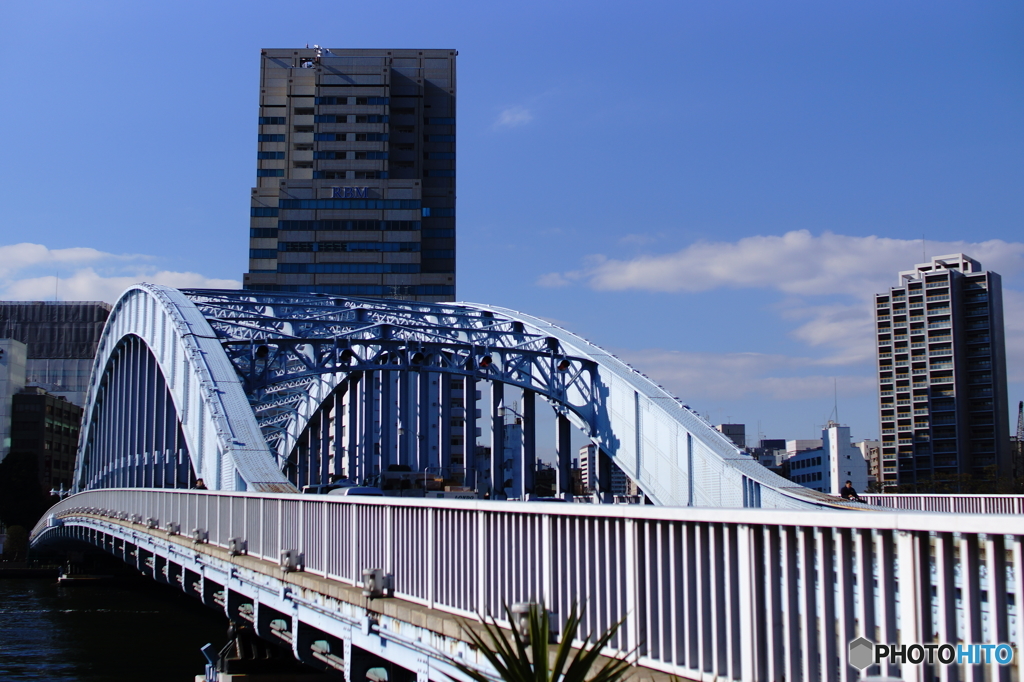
x,y
336,382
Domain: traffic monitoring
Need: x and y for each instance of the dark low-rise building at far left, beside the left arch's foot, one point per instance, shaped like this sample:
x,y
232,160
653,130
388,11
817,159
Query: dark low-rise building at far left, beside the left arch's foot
x,y
46,430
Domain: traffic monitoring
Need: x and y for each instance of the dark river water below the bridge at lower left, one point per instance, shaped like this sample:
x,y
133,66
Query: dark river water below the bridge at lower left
x,y
127,630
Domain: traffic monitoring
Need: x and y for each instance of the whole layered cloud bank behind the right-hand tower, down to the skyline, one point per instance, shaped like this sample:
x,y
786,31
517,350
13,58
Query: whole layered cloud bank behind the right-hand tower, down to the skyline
x,y
828,283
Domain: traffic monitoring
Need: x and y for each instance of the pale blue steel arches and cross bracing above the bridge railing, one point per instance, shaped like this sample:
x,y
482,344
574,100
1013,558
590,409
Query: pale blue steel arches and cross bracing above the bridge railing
x,y
275,392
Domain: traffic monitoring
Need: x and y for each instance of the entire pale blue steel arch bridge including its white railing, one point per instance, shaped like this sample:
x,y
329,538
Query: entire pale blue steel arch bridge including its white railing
x,y
733,574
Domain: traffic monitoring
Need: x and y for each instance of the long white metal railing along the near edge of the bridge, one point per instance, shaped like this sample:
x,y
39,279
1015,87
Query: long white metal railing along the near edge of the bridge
x,y
737,594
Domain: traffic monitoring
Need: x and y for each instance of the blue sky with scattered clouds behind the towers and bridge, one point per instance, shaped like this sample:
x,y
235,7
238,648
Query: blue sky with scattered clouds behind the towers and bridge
x,y
711,190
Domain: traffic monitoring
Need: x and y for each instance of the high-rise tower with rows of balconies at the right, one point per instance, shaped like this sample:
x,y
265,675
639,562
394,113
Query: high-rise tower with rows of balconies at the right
x,y
943,376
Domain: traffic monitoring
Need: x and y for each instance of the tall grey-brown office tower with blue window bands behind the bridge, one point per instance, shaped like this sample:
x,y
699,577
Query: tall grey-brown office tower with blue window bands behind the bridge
x,y
356,175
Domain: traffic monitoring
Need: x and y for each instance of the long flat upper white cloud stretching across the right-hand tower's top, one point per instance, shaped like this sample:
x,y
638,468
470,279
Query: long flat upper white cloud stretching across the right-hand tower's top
x,y
796,263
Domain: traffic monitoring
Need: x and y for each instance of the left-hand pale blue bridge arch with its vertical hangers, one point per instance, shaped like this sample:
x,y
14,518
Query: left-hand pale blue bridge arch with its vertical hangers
x,y
165,407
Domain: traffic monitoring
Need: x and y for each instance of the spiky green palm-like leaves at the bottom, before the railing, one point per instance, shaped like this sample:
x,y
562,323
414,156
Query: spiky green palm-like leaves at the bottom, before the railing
x,y
527,660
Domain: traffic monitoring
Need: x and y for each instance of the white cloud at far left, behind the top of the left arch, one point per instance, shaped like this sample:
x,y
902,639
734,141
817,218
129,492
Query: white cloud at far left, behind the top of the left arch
x,y
32,272
